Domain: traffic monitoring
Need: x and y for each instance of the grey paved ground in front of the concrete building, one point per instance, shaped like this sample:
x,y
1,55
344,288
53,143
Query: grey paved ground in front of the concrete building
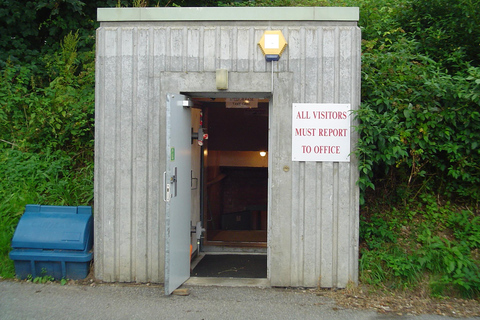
x,y
22,300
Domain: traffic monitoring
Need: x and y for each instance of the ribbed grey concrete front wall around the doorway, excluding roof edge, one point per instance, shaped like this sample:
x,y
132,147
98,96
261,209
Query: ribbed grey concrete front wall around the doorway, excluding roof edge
x,y
313,207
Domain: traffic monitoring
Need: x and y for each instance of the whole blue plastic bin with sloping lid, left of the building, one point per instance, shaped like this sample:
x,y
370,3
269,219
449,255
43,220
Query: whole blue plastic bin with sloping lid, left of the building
x,y
53,241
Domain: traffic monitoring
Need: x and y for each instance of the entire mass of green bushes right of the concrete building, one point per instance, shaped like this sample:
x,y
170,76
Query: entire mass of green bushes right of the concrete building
x,y
418,149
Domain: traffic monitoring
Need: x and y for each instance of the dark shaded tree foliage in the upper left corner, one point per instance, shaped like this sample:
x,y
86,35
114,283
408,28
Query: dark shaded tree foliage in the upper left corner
x,y
31,29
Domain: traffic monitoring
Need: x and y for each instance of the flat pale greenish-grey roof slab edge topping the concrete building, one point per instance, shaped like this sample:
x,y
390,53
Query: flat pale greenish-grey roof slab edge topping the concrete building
x,y
229,14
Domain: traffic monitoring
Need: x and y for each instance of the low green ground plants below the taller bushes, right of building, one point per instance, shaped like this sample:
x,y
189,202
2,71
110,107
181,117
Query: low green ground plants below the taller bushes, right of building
x,y
439,243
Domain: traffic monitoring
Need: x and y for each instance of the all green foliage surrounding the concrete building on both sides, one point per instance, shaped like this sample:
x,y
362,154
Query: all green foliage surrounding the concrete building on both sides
x,y
419,125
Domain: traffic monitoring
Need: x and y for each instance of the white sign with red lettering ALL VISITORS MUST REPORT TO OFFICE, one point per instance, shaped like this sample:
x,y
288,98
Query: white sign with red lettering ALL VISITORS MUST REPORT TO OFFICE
x,y
321,132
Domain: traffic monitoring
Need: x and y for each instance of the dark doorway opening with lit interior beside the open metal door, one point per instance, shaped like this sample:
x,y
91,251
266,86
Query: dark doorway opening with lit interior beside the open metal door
x,y
234,188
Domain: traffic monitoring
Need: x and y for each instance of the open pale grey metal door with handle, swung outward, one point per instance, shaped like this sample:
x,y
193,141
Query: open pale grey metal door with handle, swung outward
x,y
177,194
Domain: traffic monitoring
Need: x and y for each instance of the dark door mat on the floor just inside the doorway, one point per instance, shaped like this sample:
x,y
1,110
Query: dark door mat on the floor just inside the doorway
x,y
232,265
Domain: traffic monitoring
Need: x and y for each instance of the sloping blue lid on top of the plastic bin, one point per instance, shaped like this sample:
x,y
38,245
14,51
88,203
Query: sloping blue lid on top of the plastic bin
x,y
54,227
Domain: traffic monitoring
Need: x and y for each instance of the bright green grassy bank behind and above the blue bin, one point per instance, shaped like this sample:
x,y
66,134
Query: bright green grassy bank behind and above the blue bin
x,y
32,178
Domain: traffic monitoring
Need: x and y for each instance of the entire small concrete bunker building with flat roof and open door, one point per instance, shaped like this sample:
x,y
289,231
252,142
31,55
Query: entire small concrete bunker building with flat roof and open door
x,y
163,74
